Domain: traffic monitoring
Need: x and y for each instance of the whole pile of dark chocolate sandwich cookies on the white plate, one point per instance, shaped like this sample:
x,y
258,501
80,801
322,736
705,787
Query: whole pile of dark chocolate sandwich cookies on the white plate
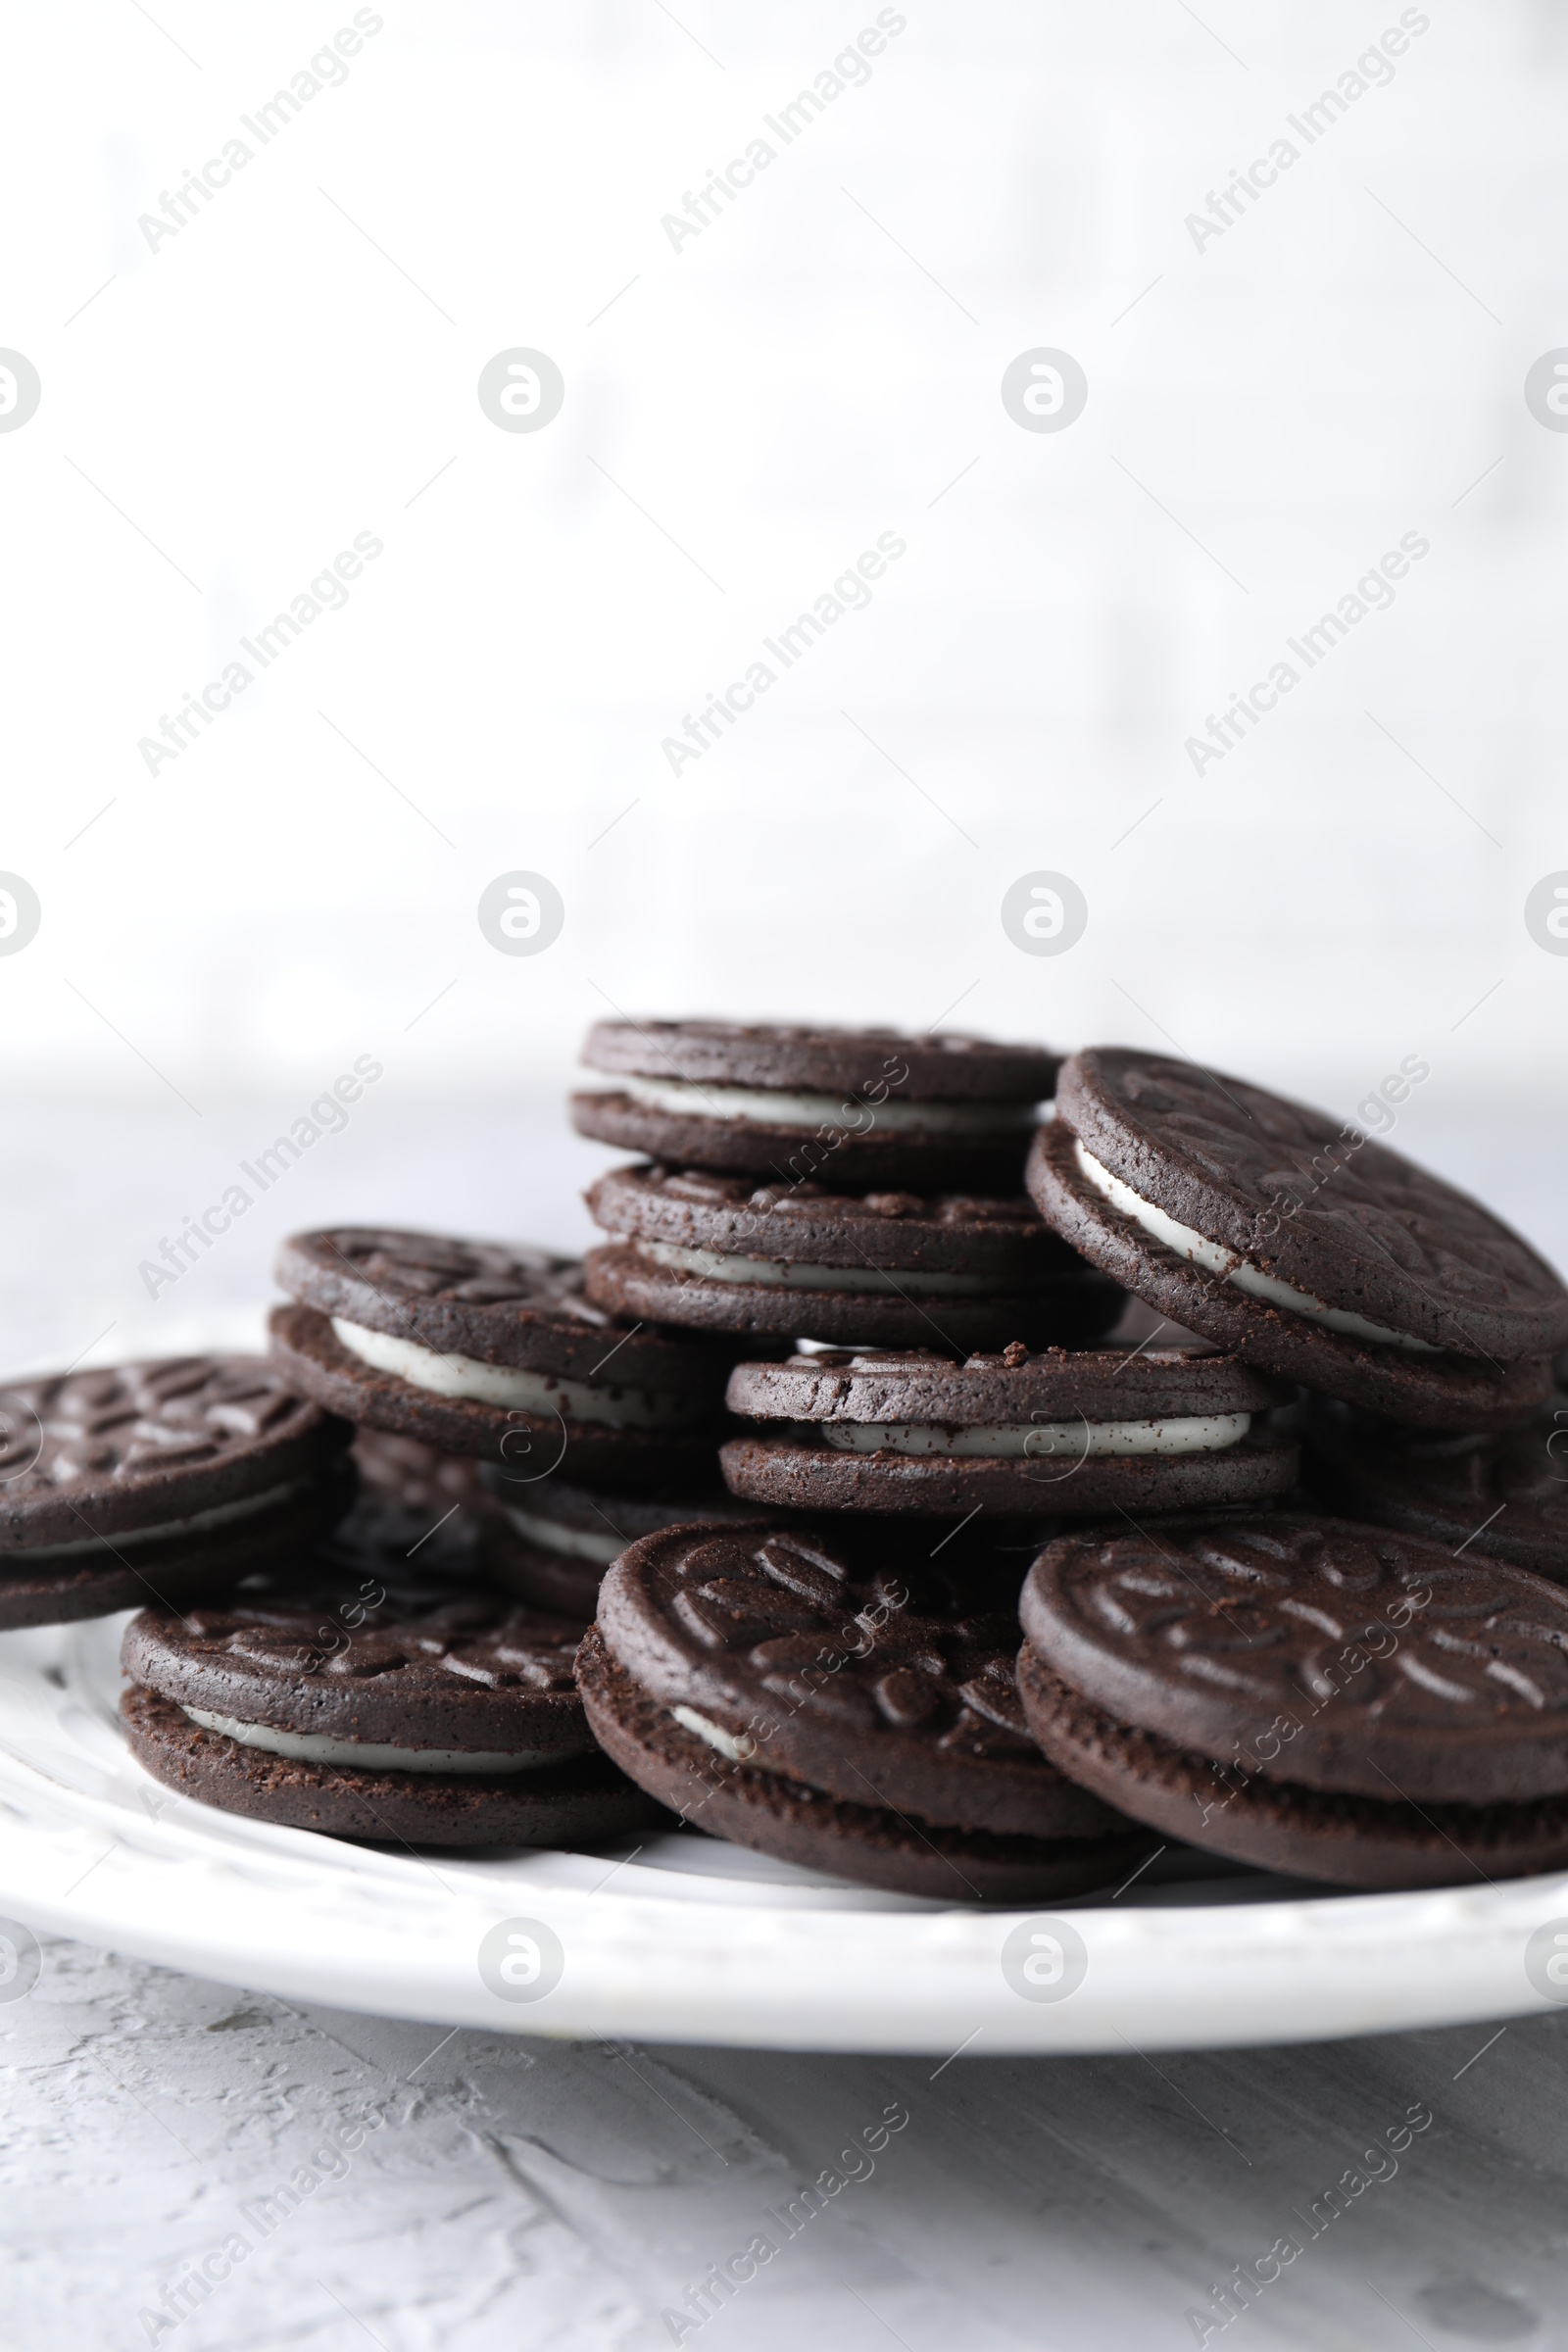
x,y
812,1662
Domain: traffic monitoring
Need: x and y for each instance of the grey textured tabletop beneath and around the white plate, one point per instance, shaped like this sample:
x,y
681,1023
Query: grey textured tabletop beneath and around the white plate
x,y
521,2193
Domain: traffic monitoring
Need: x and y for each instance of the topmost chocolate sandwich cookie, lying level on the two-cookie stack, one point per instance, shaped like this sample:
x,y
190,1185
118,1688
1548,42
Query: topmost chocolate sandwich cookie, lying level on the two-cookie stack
x,y
800,1104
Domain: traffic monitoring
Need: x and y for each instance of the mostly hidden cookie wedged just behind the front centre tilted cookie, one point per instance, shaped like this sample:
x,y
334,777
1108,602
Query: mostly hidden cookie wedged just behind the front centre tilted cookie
x,y
556,1539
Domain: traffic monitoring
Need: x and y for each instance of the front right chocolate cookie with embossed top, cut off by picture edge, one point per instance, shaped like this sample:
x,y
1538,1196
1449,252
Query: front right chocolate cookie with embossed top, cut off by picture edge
x,y
1308,1695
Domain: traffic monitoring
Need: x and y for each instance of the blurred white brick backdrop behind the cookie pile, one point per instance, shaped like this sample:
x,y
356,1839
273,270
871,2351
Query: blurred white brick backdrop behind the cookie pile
x,y
1268,413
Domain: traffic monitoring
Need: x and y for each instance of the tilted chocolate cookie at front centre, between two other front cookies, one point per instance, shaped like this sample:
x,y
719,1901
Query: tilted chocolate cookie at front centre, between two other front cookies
x,y
843,1720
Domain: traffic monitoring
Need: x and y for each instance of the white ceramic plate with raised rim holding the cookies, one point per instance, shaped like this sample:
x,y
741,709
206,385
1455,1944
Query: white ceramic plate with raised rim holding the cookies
x,y
695,1942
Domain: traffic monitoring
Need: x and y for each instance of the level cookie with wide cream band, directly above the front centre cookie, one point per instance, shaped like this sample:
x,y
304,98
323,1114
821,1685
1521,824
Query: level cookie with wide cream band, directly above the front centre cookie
x,y
1064,1434
